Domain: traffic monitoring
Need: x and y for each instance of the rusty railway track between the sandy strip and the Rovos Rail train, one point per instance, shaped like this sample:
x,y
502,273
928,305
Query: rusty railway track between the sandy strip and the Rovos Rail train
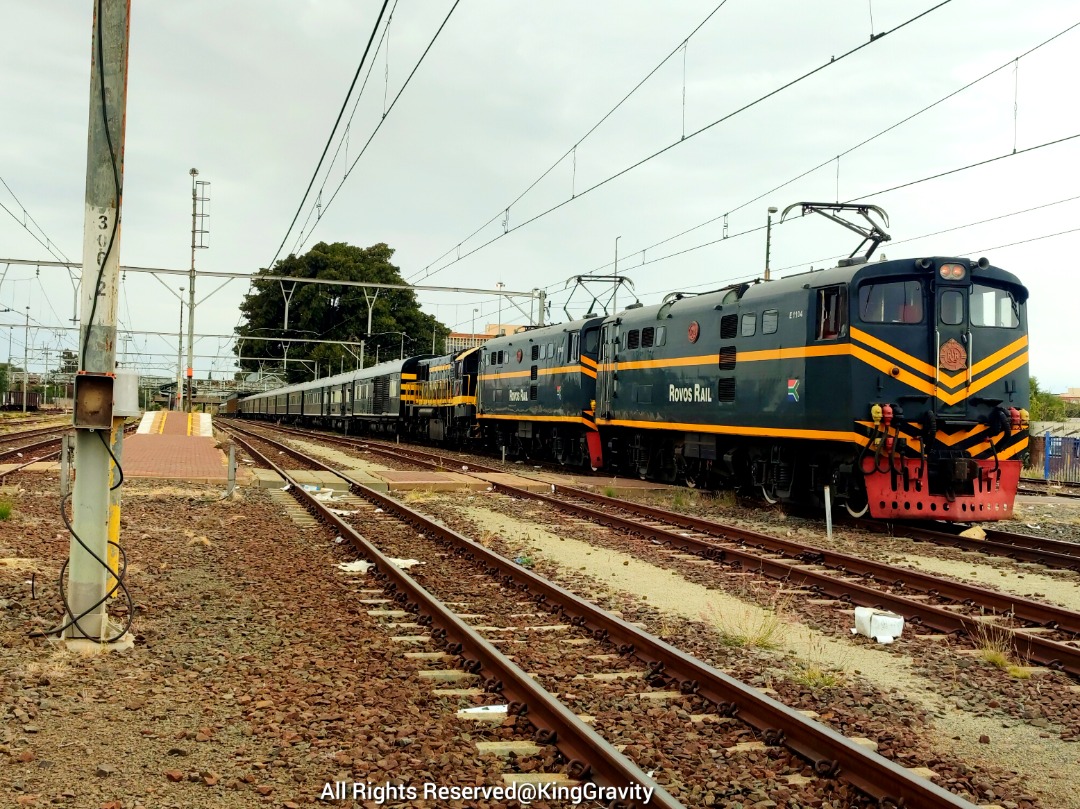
x,y
1038,632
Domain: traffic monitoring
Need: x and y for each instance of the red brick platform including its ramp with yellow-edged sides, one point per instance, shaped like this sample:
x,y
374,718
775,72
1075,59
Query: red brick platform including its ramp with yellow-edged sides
x,y
175,447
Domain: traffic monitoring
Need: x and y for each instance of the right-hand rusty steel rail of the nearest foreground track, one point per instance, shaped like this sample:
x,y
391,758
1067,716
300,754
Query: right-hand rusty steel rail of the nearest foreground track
x,y
831,753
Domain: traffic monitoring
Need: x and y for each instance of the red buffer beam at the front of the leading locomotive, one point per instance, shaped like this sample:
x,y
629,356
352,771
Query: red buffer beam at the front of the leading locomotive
x,y
984,491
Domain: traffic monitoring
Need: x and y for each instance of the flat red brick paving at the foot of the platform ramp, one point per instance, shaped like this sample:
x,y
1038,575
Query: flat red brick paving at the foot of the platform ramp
x,y
174,457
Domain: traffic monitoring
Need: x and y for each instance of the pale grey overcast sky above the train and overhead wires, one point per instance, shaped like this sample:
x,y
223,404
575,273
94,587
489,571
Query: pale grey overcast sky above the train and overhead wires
x,y
248,92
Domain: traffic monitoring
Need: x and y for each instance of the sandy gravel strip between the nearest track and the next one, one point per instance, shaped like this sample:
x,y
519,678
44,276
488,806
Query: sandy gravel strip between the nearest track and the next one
x,y
927,706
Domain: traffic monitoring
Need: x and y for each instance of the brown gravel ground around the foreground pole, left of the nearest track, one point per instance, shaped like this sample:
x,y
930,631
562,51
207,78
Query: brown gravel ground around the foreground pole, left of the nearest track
x,y
258,676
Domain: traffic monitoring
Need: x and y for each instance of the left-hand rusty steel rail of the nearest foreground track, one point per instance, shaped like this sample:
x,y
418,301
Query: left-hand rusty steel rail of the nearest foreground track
x,y
589,754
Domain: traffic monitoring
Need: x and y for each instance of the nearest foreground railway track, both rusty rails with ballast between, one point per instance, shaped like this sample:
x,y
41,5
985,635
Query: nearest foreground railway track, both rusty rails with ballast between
x,y
740,716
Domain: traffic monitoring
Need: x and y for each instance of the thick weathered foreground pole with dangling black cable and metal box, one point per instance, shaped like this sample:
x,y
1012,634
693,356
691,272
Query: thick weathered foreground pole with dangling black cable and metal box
x,y
101,261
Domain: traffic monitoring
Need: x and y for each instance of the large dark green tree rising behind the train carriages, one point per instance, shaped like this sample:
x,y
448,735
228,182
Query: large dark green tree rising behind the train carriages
x,y
327,313
